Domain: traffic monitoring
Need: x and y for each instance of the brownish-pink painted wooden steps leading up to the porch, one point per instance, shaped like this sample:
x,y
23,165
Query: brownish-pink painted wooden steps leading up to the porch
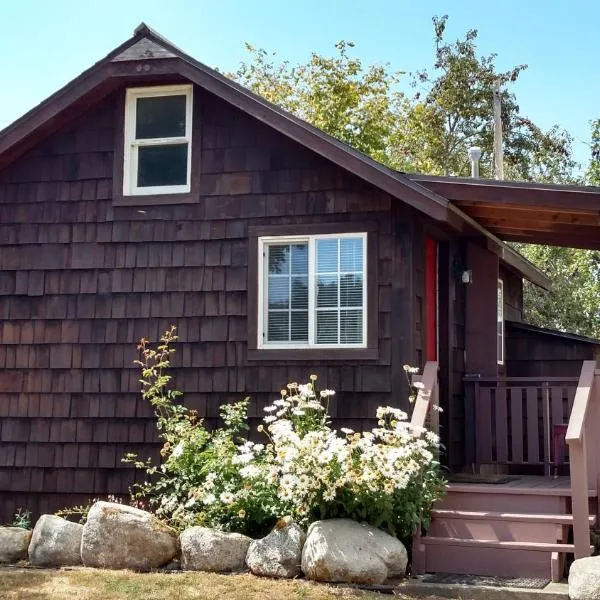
x,y
522,528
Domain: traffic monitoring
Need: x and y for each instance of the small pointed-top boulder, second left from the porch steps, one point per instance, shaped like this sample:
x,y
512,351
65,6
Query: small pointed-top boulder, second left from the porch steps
x,y
278,554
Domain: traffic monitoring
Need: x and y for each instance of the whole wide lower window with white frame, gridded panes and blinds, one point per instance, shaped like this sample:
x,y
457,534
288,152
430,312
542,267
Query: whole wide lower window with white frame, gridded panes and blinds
x,y
312,291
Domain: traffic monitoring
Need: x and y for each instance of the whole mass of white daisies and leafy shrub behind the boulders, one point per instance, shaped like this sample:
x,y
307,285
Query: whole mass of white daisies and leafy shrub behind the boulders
x,y
388,477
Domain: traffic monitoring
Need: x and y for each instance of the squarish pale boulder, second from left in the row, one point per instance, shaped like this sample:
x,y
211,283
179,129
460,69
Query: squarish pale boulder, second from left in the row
x,y
55,542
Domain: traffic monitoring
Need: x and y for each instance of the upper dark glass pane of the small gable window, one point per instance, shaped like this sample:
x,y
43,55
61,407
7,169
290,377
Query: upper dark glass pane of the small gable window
x,y
160,117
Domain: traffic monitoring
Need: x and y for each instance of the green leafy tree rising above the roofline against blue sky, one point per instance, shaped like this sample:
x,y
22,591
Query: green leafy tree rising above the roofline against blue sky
x,y
428,129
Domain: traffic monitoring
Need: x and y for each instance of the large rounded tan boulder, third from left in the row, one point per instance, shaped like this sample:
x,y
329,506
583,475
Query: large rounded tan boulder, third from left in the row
x,y
123,537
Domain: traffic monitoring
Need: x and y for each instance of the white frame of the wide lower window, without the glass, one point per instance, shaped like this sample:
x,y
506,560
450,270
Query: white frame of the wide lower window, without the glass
x,y
263,242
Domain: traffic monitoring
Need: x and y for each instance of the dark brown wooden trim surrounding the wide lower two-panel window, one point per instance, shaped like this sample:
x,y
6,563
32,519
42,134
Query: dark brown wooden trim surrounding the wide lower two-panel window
x,y
371,352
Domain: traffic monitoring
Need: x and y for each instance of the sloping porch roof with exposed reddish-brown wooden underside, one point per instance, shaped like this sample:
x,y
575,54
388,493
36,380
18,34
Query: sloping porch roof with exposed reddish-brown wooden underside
x,y
559,215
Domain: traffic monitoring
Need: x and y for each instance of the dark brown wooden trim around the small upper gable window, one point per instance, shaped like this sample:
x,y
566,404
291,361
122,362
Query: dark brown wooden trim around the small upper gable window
x,y
191,197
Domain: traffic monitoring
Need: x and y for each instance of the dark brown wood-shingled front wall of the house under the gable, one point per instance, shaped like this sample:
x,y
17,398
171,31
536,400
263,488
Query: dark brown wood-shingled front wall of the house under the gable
x,y
81,281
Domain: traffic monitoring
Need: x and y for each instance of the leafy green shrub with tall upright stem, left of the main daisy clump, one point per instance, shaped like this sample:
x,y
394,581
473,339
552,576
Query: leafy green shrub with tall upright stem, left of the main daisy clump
x,y
196,461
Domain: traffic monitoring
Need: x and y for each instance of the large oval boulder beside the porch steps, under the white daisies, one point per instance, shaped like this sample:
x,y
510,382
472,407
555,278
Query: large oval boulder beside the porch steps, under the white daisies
x,y
344,550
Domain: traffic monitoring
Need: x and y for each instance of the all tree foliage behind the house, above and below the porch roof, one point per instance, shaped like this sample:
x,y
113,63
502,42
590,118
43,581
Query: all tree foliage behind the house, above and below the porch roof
x,y
426,121
